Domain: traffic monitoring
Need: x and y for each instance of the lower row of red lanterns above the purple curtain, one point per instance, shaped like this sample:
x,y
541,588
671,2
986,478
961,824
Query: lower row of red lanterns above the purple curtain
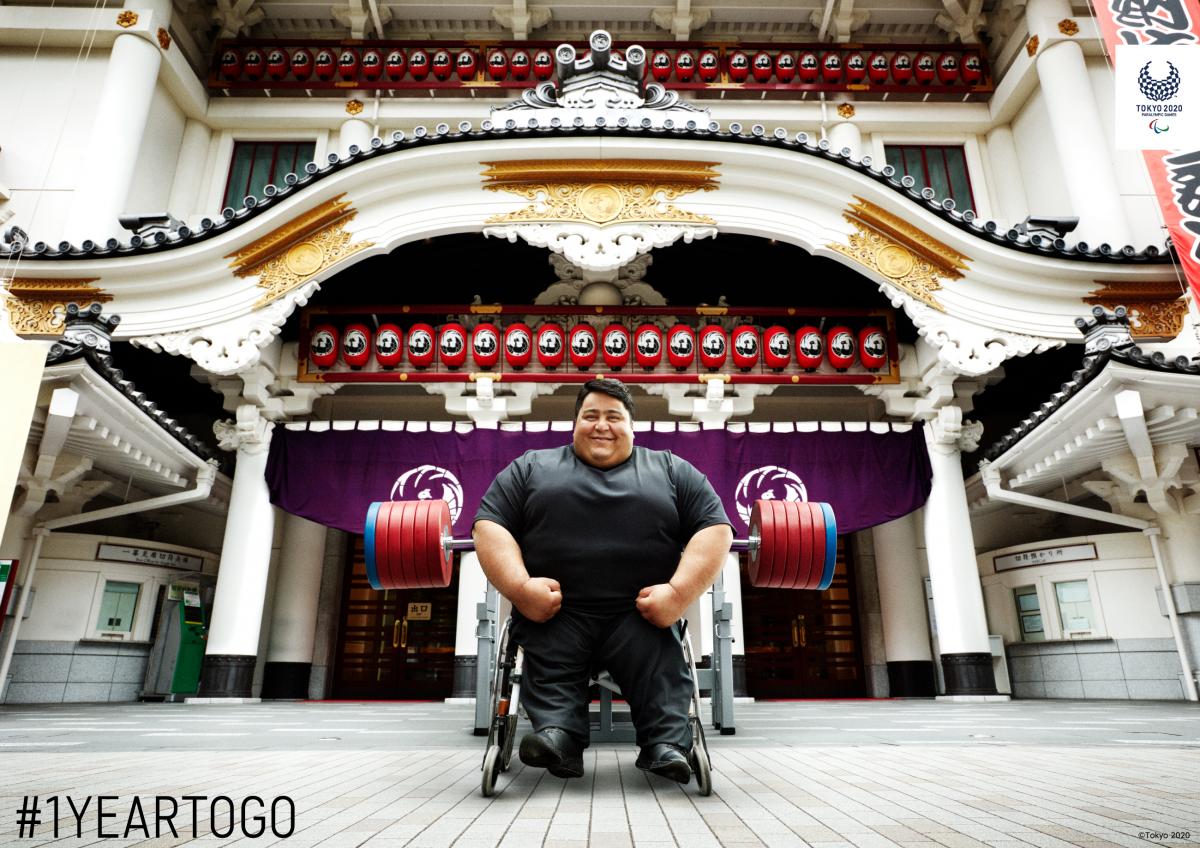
x,y
616,346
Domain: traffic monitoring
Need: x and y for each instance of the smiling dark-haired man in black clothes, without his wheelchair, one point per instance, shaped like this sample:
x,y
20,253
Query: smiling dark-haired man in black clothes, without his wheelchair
x,y
585,540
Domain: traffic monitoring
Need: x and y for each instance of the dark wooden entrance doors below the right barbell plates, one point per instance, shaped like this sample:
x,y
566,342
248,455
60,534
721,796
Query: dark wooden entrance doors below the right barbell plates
x,y
803,645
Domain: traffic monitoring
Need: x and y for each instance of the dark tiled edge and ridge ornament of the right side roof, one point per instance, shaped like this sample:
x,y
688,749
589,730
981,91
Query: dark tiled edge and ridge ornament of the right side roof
x,y
1107,339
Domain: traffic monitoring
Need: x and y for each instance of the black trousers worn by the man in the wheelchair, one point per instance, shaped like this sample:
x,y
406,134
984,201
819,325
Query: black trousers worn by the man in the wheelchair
x,y
646,661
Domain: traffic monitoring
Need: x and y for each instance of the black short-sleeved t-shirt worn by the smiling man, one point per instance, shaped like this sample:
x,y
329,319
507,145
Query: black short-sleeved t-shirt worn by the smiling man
x,y
604,534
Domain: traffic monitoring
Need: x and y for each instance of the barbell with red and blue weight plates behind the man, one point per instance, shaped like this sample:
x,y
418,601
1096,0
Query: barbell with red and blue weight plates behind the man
x,y
793,545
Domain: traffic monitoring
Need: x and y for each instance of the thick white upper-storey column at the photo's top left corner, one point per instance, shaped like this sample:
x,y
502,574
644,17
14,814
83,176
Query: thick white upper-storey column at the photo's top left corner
x,y
107,171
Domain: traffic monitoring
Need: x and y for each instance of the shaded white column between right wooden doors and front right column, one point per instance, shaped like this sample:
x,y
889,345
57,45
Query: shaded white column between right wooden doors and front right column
x,y
902,599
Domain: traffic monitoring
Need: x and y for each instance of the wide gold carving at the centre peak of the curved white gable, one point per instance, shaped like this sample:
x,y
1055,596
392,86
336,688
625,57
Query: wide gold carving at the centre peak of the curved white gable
x,y
602,191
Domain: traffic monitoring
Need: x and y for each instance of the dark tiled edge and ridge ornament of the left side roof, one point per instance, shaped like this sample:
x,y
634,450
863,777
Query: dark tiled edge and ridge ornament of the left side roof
x,y
88,336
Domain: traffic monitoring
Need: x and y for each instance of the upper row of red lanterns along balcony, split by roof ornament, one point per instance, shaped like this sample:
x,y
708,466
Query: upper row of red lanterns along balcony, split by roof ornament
x,y
808,67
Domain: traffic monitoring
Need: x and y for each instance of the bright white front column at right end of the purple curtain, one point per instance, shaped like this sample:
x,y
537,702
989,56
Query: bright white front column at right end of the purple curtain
x,y
950,548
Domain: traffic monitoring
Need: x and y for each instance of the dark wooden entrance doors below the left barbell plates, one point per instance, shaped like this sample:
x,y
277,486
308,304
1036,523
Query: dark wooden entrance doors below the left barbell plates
x,y
395,645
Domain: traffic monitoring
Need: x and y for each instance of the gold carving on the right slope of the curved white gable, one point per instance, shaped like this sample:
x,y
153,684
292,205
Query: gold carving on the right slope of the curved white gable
x,y
910,258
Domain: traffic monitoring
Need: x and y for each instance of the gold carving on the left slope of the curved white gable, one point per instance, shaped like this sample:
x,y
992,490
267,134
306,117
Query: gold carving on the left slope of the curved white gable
x,y
299,250
